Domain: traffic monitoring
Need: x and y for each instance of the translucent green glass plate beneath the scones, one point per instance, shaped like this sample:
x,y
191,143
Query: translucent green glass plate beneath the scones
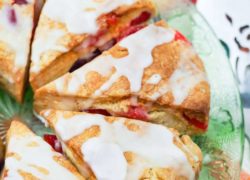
x,y
222,145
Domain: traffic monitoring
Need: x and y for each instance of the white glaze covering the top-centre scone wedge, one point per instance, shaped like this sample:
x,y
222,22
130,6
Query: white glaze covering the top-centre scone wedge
x,y
80,17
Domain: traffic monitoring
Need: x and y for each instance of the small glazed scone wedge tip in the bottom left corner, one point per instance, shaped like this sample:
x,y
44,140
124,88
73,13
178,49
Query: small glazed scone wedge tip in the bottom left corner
x,y
28,156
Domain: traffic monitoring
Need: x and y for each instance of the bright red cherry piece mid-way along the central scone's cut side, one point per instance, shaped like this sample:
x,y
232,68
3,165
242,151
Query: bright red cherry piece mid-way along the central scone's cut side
x,y
136,112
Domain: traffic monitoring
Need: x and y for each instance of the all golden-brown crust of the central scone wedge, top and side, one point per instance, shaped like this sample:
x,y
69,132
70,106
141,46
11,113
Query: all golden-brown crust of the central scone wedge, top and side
x,y
117,98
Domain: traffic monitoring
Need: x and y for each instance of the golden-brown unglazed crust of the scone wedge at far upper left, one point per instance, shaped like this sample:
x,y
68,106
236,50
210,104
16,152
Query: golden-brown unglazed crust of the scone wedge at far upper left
x,y
13,78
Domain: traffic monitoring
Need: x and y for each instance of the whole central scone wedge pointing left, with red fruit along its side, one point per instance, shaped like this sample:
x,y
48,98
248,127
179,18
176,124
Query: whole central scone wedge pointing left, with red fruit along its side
x,y
152,75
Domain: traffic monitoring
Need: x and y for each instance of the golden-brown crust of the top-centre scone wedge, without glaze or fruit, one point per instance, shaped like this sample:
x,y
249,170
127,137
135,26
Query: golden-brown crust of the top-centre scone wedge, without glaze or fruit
x,y
64,61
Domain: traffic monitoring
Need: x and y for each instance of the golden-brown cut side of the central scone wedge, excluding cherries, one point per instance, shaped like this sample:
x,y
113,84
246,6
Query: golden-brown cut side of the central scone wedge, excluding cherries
x,y
168,116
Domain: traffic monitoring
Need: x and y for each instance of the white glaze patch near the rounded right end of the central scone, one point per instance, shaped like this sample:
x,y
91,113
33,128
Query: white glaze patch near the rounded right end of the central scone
x,y
186,76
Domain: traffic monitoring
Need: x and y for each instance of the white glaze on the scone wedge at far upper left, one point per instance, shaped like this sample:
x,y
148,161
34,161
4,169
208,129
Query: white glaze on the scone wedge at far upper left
x,y
17,35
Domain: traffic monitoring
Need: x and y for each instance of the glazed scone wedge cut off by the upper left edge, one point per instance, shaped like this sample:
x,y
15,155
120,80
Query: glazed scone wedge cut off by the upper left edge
x,y
16,26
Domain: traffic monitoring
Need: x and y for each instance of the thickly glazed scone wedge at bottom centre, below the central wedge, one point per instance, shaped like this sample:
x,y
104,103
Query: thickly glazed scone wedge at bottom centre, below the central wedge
x,y
105,147
